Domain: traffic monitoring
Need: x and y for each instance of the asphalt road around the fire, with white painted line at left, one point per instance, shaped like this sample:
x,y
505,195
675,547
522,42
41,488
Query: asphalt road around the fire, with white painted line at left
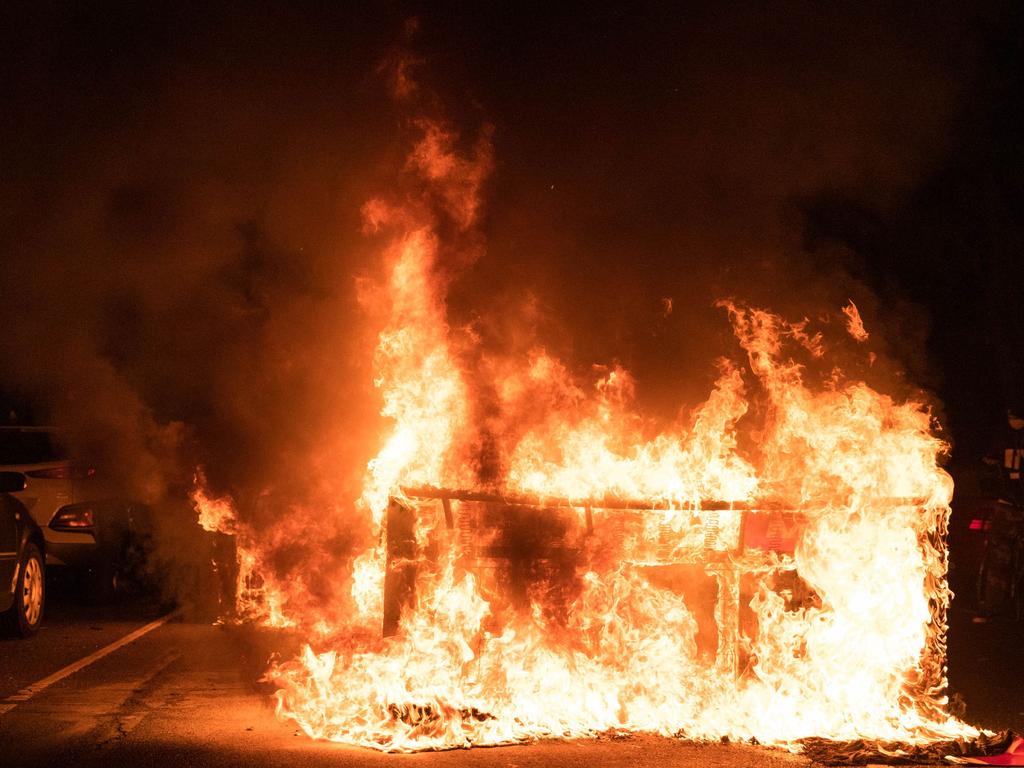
x,y
188,695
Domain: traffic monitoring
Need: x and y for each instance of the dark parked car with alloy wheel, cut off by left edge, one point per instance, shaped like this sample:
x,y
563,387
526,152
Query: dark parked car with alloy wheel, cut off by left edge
x,y
23,568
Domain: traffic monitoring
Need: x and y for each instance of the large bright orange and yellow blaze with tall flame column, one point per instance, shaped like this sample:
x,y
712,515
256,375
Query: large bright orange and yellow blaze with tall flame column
x,y
552,564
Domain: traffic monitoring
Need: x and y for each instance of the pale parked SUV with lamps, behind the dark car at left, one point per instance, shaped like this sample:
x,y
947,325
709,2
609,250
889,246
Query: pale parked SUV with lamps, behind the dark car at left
x,y
88,529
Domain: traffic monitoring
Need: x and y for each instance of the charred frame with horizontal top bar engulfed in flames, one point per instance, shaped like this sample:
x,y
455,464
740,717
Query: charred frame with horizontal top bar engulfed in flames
x,y
714,556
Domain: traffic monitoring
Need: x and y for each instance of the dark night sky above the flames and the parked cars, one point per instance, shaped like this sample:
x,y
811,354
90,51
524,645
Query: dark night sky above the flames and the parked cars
x,y
181,188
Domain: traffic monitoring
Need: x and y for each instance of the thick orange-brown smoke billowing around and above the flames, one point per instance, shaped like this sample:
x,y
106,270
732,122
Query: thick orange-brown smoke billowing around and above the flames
x,y
182,234
